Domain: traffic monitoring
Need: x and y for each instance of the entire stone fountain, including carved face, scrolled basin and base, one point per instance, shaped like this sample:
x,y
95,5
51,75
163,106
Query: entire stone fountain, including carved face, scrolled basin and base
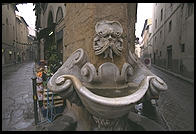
x,y
108,93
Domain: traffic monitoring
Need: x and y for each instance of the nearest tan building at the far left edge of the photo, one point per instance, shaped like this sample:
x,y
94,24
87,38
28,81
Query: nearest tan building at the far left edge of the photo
x,y
8,33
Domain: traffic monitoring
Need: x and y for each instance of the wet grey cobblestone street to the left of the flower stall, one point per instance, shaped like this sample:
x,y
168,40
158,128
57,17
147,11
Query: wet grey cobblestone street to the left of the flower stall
x,y
17,102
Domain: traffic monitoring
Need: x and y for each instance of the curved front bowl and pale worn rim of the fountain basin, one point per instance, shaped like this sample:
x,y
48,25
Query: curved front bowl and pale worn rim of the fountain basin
x,y
105,106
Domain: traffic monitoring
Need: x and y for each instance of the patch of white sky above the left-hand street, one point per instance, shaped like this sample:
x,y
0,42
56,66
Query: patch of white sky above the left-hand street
x,y
26,11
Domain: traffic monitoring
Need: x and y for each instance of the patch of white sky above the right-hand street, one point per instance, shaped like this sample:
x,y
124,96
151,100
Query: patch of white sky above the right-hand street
x,y
144,11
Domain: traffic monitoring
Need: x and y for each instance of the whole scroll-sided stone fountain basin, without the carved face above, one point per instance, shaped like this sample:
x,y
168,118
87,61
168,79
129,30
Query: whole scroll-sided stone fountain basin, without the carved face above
x,y
107,92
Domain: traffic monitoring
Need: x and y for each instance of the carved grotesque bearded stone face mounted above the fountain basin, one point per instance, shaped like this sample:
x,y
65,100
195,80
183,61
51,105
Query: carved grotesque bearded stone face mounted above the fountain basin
x,y
108,38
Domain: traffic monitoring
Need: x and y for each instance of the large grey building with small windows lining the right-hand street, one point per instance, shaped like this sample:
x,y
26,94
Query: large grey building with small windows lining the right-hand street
x,y
173,37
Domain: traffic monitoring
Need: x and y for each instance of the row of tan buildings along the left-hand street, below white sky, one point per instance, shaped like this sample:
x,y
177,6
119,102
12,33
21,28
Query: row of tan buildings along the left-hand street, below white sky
x,y
14,35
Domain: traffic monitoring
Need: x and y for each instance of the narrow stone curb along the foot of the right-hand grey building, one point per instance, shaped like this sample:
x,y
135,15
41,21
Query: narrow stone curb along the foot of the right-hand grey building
x,y
174,74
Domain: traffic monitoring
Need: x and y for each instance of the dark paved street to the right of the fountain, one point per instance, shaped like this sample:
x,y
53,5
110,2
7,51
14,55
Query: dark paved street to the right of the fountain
x,y
177,103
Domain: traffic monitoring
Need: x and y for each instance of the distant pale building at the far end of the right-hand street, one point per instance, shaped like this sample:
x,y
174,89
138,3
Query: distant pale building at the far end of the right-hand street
x,y
146,46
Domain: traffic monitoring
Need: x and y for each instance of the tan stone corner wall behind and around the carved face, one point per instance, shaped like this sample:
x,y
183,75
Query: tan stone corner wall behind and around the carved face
x,y
80,23
